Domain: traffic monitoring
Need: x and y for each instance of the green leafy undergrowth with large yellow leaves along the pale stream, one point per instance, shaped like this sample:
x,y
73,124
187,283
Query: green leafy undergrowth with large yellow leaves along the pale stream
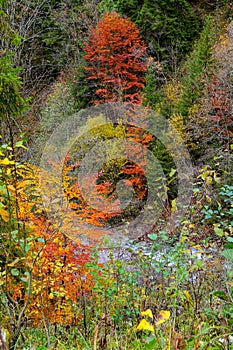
x,y
180,297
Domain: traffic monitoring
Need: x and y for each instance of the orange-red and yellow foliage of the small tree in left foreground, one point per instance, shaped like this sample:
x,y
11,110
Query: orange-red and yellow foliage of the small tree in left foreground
x,y
59,275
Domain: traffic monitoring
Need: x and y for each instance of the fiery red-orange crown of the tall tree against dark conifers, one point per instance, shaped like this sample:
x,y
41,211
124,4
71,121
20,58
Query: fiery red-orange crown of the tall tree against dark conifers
x,y
114,60
